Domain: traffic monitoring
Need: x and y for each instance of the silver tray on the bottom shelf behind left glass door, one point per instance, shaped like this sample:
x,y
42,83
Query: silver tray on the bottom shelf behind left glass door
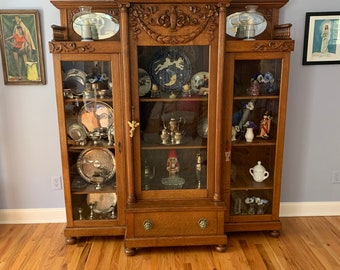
x,y
103,202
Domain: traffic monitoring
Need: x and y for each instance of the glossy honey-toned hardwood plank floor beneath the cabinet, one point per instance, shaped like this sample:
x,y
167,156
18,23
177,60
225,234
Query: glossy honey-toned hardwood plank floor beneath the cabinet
x,y
305,243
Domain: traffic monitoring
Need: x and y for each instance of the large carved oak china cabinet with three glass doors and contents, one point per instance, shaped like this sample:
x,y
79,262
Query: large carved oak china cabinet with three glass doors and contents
x,y
154,100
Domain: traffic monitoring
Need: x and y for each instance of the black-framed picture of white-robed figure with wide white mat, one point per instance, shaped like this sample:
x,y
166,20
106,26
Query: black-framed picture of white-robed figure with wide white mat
x,y
322,38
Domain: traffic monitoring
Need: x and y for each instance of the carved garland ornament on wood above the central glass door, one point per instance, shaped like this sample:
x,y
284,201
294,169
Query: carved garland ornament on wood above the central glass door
x,y
175,24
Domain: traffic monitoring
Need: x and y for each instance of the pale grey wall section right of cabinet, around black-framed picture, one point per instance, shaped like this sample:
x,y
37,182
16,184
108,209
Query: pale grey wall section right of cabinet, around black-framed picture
x,y
312,136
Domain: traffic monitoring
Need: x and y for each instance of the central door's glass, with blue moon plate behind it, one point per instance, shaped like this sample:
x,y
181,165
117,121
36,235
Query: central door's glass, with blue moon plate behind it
x,y
173,109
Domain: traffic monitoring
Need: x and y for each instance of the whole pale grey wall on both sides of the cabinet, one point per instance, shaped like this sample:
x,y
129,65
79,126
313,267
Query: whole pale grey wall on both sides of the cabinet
x,y
29,142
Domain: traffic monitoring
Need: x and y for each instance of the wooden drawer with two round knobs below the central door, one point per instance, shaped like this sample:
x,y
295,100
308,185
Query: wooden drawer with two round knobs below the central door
x,y
175,223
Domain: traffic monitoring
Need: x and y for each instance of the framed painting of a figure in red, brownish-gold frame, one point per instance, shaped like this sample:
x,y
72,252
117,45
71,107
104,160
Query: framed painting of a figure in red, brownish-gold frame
x,y
21,50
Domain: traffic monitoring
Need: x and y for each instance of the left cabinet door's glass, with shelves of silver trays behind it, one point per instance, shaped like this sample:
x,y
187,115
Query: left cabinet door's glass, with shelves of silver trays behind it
x,y
90,140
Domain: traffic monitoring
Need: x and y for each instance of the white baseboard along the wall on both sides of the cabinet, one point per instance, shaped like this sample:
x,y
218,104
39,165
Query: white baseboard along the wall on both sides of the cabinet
x,y
58,215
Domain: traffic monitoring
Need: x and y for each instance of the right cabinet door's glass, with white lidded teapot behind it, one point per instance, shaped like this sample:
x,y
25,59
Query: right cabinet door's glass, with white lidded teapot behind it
x,y
255,122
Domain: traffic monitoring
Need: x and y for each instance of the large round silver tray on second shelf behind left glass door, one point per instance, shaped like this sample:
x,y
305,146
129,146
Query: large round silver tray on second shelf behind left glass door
x,y
96,116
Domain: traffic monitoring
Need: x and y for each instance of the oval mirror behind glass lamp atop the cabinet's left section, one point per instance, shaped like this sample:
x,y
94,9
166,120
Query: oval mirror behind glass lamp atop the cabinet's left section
x,y
106,25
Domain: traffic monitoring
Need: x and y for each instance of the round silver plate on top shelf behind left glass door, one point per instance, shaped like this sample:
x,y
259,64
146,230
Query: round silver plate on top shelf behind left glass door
x,y
75,80
